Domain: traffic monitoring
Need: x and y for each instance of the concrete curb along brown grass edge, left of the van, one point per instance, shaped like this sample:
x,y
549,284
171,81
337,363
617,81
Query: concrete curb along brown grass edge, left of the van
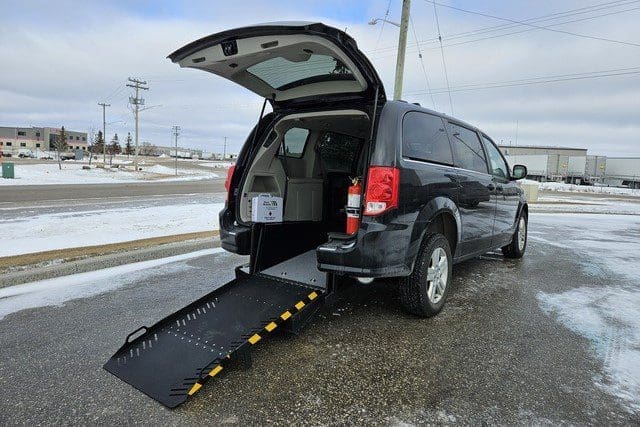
x,y
105,261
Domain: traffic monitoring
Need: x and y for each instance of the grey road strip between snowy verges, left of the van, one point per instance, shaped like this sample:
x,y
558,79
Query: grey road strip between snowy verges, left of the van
x,y
39,193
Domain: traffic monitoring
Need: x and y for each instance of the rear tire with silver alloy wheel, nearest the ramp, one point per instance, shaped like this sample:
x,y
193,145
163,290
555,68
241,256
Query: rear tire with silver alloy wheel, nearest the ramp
x,y
422,293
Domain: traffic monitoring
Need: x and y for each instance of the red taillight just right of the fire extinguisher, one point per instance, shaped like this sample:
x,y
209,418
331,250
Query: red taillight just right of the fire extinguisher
x,y
383,190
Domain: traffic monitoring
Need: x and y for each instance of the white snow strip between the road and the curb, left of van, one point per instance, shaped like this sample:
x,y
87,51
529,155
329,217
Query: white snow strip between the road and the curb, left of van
x,y
43,232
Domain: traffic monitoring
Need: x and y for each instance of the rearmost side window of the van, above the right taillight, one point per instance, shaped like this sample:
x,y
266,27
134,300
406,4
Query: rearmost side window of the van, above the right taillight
x,y
424,138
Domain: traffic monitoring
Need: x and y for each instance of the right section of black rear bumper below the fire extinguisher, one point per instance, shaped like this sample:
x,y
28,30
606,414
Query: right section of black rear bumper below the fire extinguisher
x,y
377,250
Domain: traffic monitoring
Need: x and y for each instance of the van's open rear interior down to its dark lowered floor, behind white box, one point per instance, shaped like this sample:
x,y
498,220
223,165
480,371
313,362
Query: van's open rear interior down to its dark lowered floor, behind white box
x,y
308,159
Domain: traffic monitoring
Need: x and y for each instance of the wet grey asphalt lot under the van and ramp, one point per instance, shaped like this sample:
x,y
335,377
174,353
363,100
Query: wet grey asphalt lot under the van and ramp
x,y
492,356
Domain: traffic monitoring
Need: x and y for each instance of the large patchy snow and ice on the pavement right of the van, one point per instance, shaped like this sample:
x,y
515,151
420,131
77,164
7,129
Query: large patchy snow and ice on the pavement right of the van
x,y
607,315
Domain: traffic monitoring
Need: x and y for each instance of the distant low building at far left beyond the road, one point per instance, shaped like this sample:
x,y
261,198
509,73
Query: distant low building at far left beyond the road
x,y
34,139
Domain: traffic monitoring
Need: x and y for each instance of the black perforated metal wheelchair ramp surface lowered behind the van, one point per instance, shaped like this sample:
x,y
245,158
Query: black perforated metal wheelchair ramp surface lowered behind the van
x,y
168,359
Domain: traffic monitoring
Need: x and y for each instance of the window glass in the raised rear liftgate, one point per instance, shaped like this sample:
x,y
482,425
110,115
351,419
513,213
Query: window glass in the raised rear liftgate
x,y
282,74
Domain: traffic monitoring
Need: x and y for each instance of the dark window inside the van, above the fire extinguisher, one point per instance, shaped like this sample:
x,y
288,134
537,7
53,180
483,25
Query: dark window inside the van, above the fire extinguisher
x,y
338,151
